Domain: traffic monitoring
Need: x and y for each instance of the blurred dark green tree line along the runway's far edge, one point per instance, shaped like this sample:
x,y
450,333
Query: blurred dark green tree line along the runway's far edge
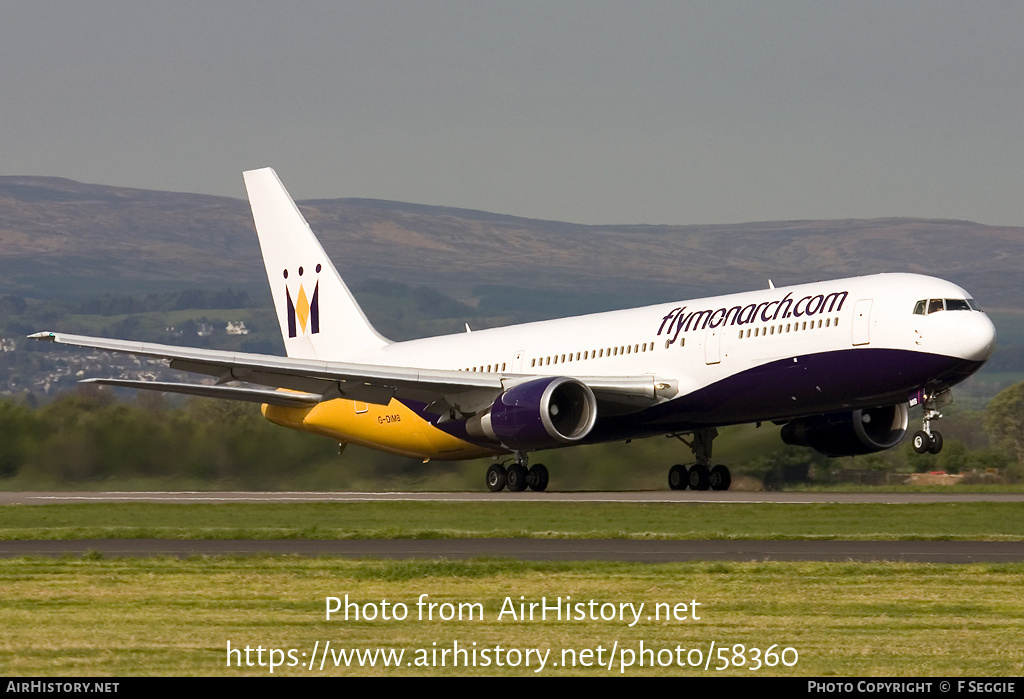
x,y
90,435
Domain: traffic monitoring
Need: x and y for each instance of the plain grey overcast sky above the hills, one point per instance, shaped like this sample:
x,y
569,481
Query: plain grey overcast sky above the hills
x,y
589,112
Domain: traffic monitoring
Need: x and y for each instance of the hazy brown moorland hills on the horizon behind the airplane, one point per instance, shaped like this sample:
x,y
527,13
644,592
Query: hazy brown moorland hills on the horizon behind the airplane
x,y
59,237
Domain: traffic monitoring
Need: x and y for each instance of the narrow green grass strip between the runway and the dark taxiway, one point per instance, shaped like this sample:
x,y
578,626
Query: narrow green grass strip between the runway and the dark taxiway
x,y
991,521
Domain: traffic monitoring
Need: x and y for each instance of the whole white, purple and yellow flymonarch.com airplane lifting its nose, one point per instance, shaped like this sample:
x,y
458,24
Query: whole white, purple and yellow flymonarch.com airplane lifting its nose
x,y
838,364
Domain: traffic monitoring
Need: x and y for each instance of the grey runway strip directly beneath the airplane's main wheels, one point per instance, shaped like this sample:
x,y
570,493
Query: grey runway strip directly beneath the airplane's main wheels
x,y
646,497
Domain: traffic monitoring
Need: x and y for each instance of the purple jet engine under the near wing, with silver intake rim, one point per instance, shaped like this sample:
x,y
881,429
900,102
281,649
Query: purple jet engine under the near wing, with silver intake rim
x,y
538,415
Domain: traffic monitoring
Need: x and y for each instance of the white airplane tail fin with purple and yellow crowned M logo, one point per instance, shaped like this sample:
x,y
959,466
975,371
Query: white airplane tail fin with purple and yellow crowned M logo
x,y
319,317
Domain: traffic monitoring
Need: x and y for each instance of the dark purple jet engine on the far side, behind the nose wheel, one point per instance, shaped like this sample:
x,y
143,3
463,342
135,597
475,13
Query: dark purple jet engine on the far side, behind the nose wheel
x,y
850,434
